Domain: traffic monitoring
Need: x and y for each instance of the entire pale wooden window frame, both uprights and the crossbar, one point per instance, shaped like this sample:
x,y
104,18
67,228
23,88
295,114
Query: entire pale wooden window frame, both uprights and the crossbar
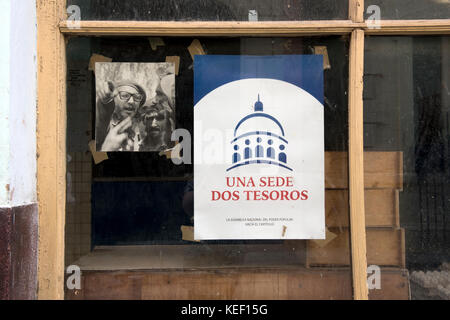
x,y
51,126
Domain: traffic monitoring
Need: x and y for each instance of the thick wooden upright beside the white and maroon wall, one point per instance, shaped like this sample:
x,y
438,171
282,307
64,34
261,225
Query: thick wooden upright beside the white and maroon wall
x,y
51,148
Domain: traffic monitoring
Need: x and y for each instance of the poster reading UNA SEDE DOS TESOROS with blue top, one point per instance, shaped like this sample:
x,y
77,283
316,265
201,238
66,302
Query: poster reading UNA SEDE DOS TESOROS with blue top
x,y
259,147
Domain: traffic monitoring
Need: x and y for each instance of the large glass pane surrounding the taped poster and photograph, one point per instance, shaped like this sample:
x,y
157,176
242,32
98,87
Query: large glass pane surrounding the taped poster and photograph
x,y
125,213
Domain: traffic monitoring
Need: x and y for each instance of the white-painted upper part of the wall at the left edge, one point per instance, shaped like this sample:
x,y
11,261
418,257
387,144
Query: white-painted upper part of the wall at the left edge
x,y
18,103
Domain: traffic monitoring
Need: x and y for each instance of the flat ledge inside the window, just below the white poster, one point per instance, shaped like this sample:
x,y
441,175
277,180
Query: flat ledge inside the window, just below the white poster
x,y
193,257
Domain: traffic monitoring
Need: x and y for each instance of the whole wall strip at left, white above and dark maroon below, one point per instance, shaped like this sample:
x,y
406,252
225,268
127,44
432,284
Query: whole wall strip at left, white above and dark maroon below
x,y
18,207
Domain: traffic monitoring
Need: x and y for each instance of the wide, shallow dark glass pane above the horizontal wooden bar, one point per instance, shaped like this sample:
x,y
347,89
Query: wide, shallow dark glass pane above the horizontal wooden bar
x,y
212,10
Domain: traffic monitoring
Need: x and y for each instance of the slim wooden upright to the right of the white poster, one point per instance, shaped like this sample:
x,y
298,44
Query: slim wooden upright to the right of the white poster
x,y
356,167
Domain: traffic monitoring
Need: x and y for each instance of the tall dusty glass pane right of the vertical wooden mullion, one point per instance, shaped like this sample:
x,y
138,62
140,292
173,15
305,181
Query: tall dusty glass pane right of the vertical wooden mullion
x,y
406,131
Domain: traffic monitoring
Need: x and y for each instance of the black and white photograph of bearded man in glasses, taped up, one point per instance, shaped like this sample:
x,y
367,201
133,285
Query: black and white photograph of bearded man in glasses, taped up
x,y
135,106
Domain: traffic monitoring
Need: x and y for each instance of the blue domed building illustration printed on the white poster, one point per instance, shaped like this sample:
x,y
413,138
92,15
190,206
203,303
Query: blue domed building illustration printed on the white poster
x,y
259,138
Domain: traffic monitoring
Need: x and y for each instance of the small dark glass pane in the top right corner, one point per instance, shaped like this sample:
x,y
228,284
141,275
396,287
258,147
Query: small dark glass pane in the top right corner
x,y
409,9
